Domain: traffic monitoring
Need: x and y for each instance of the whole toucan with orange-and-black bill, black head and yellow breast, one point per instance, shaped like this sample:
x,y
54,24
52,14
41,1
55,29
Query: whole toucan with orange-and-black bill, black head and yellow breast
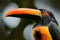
x,y
46,27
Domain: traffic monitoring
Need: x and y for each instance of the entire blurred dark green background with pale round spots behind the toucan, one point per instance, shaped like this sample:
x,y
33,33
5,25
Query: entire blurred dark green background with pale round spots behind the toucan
x,y
12,28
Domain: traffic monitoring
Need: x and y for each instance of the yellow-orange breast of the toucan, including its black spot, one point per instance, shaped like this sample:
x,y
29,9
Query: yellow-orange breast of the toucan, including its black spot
x,y
41,33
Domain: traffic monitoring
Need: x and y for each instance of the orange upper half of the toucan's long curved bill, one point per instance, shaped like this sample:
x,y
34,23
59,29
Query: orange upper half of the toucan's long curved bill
x,y
23,11
